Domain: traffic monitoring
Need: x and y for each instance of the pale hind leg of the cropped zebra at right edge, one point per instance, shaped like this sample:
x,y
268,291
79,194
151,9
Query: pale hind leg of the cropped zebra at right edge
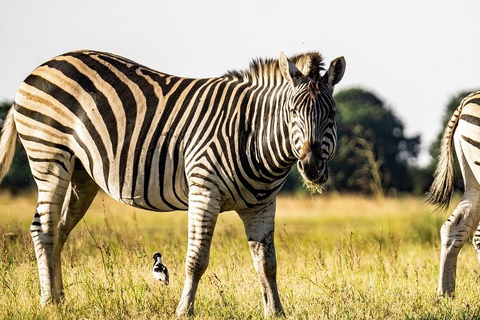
x,y
454,233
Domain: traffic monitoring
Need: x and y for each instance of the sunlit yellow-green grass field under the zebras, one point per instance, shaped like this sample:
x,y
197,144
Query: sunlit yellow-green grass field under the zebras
x,y
338,258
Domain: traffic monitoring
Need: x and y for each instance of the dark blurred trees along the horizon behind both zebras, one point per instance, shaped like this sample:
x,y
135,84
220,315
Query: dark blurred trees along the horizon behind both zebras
x,y
374,156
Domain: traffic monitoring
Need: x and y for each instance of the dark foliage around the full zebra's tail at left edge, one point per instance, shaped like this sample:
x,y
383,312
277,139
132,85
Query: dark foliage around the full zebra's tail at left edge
x,y
19,178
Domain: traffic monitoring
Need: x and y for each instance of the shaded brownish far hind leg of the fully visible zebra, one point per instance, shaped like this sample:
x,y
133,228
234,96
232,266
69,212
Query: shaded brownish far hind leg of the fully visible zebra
x,y
80,194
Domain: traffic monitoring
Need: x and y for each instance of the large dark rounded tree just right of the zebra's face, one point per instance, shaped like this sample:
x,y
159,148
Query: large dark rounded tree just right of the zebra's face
x,y
373,154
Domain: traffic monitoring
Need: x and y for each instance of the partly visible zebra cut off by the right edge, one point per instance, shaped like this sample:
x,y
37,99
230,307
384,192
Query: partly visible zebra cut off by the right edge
x,y
463,130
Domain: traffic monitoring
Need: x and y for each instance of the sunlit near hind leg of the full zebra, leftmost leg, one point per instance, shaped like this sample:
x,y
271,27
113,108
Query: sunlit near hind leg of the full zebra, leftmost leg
x,y
52,179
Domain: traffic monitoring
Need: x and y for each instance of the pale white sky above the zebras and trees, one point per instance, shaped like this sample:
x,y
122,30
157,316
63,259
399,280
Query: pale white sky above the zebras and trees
x,y
413,54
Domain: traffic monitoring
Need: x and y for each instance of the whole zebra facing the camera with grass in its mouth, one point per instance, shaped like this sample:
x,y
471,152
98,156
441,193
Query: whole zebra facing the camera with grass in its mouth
x,y
92,120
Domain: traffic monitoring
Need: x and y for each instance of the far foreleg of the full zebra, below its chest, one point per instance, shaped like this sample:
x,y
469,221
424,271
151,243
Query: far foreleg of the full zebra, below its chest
x,y
259,227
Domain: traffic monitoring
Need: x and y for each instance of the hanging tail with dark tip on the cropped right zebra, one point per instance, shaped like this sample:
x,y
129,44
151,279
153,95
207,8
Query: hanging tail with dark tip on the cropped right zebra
x,y
441,190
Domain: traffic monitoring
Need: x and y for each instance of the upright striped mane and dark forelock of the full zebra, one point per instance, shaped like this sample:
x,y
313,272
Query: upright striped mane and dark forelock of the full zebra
x,y
267,70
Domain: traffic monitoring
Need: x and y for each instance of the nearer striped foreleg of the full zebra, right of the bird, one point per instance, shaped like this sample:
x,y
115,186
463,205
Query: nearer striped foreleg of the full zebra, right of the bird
x,y
203,211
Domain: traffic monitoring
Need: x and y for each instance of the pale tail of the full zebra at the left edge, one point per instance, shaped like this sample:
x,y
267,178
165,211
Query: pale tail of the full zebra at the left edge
x,y
7,143
